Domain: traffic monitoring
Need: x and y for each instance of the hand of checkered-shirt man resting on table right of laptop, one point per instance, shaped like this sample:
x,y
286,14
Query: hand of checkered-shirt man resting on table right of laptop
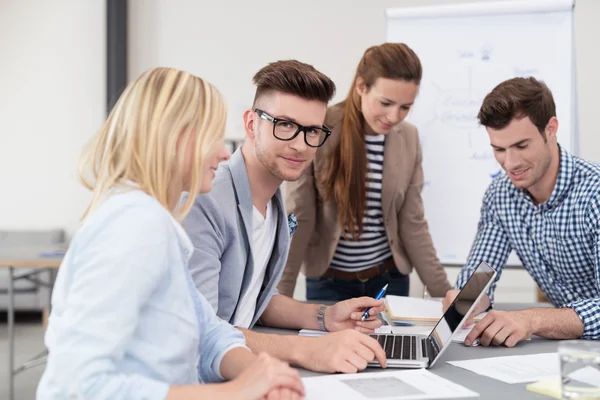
x,y
502,328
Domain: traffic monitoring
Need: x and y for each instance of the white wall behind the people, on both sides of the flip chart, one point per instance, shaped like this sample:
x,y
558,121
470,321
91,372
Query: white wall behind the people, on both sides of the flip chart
x,y
52,75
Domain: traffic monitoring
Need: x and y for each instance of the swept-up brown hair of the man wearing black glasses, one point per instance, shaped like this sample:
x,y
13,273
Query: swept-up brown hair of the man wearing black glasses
x,y
296,78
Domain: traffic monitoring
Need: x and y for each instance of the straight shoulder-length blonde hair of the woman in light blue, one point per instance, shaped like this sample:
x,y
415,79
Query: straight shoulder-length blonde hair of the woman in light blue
x,y
138,141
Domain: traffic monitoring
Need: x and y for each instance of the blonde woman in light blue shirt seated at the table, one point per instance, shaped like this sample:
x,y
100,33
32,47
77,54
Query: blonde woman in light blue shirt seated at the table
x,y
127,321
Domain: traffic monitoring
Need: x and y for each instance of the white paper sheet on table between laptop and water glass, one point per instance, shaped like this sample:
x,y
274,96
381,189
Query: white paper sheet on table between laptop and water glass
x,y
514,369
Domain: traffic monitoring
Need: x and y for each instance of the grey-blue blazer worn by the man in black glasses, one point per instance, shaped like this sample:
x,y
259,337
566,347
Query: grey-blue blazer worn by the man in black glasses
x,y
220,227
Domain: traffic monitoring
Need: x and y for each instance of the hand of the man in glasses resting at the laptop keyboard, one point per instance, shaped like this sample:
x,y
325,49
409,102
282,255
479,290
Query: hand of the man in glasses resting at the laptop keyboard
x,y
347,351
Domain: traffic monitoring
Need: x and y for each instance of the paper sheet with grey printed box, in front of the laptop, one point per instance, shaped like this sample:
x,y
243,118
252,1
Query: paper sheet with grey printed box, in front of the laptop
x,y
396,385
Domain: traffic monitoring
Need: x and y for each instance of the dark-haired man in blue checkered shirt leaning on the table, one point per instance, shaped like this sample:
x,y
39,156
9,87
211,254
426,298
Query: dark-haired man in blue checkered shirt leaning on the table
x,y
547,209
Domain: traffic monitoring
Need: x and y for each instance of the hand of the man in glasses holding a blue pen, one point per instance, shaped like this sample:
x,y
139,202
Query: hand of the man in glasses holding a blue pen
x,y
347,314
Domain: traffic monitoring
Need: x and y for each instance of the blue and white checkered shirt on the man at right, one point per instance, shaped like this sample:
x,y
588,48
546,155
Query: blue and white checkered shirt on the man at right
x,y
557,241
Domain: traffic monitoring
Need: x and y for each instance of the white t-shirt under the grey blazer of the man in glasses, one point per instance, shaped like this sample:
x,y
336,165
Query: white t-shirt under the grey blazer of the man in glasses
x,y
263,239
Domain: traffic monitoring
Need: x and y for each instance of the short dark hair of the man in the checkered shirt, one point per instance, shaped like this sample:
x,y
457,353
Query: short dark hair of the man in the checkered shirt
x,y
518,98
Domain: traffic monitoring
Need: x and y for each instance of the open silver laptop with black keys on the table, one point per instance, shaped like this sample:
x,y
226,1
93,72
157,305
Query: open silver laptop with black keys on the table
x,y
420,351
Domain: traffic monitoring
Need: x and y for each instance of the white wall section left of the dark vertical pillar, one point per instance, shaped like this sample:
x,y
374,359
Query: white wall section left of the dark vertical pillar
x,y
52,96
